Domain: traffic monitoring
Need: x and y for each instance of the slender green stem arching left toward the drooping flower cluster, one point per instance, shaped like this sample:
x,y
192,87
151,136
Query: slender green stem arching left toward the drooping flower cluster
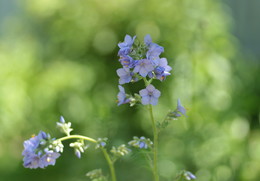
x,y
106,155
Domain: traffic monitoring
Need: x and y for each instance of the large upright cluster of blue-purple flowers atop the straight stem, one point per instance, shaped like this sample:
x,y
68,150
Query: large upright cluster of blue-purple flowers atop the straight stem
x,y
141,61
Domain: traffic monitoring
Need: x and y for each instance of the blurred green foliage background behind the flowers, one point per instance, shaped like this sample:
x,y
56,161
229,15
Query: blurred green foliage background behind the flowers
x,y
59,57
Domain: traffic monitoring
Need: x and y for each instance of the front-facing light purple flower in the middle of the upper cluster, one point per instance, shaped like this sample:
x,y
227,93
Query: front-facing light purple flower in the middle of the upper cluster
x,y
143,67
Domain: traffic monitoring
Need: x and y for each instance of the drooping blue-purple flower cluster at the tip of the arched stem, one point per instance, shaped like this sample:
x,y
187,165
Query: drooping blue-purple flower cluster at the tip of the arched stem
x,y
38,152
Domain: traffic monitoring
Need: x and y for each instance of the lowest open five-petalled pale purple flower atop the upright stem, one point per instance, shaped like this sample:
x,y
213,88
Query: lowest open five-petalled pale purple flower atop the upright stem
x,y
149,95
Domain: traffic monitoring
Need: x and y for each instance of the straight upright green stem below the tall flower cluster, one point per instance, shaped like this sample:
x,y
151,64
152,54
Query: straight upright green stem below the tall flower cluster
x,y
155,148
